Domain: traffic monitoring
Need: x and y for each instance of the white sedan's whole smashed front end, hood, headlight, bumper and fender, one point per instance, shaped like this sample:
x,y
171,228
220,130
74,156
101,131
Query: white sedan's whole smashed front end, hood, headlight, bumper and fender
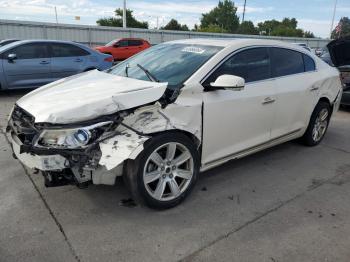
x,y
83,129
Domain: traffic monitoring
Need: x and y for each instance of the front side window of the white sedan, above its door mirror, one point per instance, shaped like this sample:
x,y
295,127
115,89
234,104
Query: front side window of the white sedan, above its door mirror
x,y
252,65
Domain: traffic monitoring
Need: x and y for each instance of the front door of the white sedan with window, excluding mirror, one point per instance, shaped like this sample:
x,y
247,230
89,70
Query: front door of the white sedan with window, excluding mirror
x,y
235,121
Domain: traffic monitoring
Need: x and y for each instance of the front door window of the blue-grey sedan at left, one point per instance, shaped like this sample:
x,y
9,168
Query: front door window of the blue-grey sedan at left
x,y
29,51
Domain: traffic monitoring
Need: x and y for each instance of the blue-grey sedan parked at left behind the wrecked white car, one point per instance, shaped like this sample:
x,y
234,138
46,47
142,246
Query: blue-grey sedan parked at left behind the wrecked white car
x,y
33,63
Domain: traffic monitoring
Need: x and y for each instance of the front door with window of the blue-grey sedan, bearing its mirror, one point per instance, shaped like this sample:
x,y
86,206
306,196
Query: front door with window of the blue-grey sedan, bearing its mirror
x,y
30,69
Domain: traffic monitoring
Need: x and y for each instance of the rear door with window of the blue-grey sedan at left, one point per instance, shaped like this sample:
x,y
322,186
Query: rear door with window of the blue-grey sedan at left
x,y
67,59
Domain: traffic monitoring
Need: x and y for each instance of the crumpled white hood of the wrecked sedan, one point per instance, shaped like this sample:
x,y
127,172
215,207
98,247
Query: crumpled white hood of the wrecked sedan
x,y
87,96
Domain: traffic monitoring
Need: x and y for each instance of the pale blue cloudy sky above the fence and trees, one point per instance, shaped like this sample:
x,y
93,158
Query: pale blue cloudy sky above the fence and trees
x,y
312,15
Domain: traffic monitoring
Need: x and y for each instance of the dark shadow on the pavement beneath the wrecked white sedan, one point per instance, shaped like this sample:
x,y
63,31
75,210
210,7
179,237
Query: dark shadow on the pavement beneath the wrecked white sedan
x,y
223,175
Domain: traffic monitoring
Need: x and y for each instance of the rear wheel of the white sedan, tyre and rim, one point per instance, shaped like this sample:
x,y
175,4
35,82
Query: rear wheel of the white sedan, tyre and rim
x,y
318,124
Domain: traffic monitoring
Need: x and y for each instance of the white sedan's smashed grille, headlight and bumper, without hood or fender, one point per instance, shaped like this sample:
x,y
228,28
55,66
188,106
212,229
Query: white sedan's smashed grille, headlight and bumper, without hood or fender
x,y
74,153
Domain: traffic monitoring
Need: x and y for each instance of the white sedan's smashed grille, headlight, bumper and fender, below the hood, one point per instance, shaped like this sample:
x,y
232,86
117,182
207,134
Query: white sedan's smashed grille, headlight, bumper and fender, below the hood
x,y
95,151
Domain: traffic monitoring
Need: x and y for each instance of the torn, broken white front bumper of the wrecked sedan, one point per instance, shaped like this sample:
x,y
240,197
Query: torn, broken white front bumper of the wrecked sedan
x,y
100,166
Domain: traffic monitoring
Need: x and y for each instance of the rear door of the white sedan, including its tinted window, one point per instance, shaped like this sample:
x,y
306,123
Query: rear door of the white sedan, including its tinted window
x,y
296,90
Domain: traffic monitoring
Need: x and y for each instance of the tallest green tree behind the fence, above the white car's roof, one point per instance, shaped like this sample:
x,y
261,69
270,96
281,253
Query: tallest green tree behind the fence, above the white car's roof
x,y
223,16
